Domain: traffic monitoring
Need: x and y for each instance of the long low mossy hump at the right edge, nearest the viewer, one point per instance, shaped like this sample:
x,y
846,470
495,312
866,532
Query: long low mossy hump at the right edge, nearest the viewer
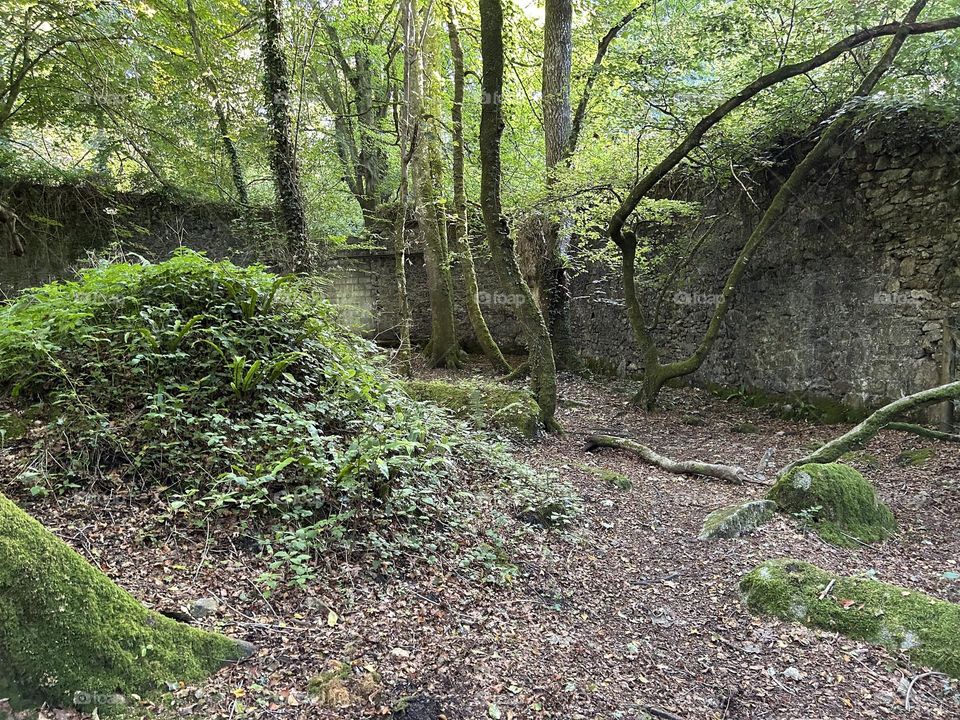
x,y
924,627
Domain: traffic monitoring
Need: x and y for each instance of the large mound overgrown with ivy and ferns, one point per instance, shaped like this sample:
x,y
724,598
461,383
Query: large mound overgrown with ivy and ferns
x,y
239,393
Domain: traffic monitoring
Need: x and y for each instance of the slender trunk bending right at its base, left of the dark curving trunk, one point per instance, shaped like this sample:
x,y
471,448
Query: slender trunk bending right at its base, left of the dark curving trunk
x,y
461,239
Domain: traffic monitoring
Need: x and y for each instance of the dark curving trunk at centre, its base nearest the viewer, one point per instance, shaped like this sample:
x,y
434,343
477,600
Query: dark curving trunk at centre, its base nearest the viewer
x,y
543,372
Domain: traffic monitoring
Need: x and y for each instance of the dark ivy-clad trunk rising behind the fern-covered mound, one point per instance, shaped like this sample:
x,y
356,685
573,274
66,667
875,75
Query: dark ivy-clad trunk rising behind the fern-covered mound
x,y
283,153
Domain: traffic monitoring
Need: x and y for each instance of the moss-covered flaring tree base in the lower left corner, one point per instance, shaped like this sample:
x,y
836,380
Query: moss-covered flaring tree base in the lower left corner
x,y
69,635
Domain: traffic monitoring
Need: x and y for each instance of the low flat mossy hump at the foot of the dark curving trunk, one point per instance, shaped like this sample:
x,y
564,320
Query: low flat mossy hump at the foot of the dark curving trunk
x,y
486,404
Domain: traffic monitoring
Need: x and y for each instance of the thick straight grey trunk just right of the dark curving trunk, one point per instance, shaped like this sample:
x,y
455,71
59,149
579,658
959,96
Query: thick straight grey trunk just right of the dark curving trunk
x,y
557,128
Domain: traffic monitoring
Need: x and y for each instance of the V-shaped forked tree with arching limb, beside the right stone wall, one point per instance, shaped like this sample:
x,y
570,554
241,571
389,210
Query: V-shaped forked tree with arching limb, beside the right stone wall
x,y
656,373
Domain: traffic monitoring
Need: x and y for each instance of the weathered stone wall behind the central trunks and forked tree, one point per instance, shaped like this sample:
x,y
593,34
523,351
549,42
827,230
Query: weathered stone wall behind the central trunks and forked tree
x,y
854,297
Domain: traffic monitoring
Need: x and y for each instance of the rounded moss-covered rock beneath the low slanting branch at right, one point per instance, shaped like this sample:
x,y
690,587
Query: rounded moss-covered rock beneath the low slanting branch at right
x,y
836,501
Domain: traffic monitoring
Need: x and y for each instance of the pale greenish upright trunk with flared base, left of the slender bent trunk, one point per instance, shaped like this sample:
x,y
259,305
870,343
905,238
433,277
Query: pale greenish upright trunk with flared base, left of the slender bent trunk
x,y
443,348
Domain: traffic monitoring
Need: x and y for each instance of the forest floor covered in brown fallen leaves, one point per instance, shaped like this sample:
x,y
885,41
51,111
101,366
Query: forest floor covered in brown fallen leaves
x,y
622,612
